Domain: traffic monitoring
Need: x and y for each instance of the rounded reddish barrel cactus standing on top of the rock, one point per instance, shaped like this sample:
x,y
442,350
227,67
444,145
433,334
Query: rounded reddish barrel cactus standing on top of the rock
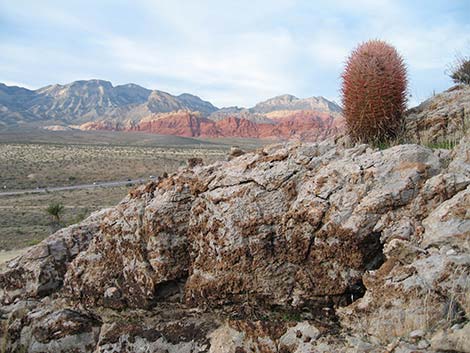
x,y
374,92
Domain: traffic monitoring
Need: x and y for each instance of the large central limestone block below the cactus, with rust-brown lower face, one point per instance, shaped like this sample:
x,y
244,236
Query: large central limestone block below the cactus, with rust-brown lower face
x,y
307,230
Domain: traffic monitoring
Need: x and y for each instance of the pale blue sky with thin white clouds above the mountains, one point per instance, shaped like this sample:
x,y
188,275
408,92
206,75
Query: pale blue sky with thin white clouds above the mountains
x,y
228,52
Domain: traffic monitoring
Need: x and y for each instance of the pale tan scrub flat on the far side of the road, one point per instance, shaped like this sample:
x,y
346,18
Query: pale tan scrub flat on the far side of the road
x,y
24,166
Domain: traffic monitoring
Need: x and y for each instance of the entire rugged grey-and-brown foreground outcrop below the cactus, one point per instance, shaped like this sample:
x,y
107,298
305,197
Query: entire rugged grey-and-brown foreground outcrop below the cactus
x,y
293,248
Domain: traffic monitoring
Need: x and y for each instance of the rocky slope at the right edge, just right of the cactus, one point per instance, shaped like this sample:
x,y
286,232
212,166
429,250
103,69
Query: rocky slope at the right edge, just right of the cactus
x,y
442,119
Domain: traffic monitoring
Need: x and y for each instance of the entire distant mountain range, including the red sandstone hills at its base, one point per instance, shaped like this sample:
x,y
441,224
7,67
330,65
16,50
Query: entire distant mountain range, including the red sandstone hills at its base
x,y
98,105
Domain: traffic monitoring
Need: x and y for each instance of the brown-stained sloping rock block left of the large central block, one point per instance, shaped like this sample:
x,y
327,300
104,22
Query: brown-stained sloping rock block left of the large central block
x,y
140,248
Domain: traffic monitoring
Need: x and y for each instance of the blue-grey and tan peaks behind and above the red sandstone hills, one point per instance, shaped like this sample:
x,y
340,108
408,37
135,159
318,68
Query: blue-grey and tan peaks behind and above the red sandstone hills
x,y
93,100
